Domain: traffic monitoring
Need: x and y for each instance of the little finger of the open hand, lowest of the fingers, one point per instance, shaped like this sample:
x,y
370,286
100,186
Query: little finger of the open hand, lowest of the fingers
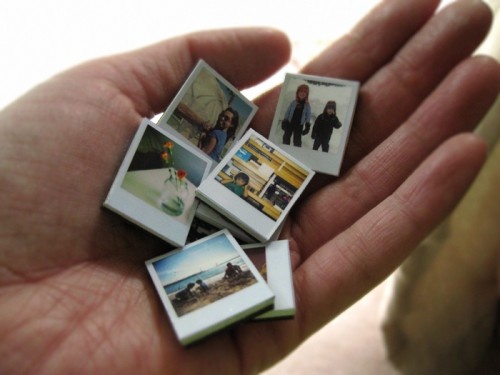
x,y
362,256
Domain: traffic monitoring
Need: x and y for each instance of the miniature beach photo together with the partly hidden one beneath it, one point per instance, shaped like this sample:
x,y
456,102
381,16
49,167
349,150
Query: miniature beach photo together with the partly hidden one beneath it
x,y
213,283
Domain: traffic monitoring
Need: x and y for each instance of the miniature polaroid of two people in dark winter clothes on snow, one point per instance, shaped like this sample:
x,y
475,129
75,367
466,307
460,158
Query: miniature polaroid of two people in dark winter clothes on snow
x,y
313,120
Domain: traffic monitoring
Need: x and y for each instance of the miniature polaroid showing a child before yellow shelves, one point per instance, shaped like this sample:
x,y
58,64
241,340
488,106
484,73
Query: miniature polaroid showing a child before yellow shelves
x,y
255,185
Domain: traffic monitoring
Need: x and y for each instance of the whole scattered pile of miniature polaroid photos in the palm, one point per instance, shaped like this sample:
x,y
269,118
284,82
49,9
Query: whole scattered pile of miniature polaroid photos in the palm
x,y
219,193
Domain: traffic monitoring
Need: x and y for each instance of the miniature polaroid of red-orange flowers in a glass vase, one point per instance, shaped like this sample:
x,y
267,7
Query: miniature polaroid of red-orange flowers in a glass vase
x,y
155,185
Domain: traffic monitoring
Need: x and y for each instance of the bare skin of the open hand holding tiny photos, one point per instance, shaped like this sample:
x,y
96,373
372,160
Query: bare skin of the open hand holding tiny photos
x,y
74,293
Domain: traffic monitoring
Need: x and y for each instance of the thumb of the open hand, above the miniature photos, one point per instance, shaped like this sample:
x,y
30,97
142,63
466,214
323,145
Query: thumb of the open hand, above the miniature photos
x,y
153,75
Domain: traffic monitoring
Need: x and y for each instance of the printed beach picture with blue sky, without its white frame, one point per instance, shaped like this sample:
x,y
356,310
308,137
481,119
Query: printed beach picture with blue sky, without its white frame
x,y
202,273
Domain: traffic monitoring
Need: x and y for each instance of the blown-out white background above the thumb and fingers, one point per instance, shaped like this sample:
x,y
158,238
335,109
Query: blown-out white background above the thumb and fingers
x,y
39,39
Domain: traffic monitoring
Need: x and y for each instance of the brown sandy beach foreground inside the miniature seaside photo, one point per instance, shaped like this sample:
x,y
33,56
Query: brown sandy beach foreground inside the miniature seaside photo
x,y
217,290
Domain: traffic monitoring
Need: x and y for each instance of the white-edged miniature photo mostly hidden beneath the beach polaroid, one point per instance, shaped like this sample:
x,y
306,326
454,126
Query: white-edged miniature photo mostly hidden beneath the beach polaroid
x,y
274,264
